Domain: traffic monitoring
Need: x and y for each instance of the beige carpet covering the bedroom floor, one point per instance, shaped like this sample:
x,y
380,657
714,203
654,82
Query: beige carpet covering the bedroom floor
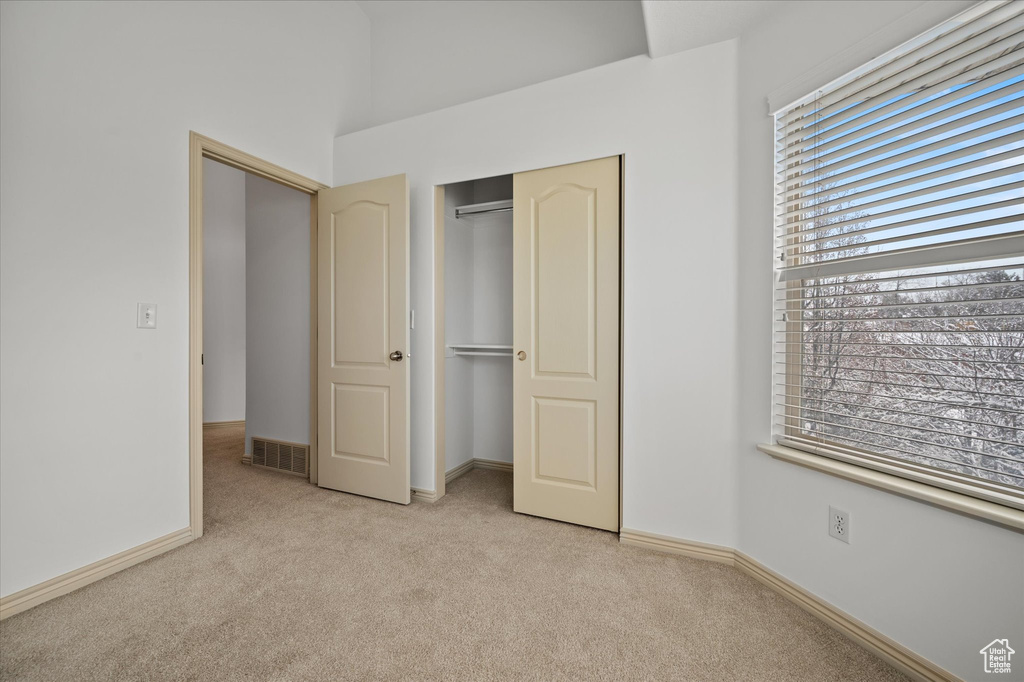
x,y
295,583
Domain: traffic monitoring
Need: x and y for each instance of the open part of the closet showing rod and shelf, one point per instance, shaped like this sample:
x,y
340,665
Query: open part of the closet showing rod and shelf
x,y
476,339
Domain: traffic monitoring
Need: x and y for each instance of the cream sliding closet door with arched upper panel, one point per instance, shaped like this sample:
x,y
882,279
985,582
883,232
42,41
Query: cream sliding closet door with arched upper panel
x,y
566,328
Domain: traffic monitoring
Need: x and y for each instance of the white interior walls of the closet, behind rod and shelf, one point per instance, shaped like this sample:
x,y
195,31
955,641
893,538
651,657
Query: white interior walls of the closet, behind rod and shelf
x,y
478,310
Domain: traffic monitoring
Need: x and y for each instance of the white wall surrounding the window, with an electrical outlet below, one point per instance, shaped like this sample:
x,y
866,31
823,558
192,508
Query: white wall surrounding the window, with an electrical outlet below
x,y
940,583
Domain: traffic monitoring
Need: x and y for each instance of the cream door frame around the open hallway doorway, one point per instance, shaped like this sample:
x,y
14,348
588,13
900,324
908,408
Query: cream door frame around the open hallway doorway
x,y
201,147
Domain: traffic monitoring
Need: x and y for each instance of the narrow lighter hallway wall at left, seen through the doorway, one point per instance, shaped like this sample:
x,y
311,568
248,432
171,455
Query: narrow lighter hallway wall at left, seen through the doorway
x,y
224,293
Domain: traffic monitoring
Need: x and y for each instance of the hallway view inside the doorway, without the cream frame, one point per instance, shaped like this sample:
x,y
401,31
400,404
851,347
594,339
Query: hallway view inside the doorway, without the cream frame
x,y
257,348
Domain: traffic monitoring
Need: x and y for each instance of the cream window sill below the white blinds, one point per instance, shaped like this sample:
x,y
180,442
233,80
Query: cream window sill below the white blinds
x,y
991,511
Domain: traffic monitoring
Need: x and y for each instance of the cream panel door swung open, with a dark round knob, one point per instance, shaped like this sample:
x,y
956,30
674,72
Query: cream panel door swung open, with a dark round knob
x,y
363,339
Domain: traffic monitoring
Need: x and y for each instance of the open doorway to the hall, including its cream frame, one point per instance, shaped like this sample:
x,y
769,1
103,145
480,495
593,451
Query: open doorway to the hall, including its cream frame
x,y
252,315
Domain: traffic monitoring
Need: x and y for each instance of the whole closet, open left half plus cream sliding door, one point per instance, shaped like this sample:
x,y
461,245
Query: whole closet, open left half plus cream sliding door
x,y
532,317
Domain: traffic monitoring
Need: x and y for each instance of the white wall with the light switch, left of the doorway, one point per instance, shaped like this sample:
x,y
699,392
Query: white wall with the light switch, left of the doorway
x,y
97,102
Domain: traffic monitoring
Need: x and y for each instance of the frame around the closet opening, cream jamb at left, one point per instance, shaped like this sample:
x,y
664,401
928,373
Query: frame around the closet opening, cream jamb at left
x,y
440,358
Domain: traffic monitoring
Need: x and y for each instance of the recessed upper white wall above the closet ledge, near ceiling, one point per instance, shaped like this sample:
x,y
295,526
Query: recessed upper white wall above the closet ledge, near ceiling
x,y
428,56
